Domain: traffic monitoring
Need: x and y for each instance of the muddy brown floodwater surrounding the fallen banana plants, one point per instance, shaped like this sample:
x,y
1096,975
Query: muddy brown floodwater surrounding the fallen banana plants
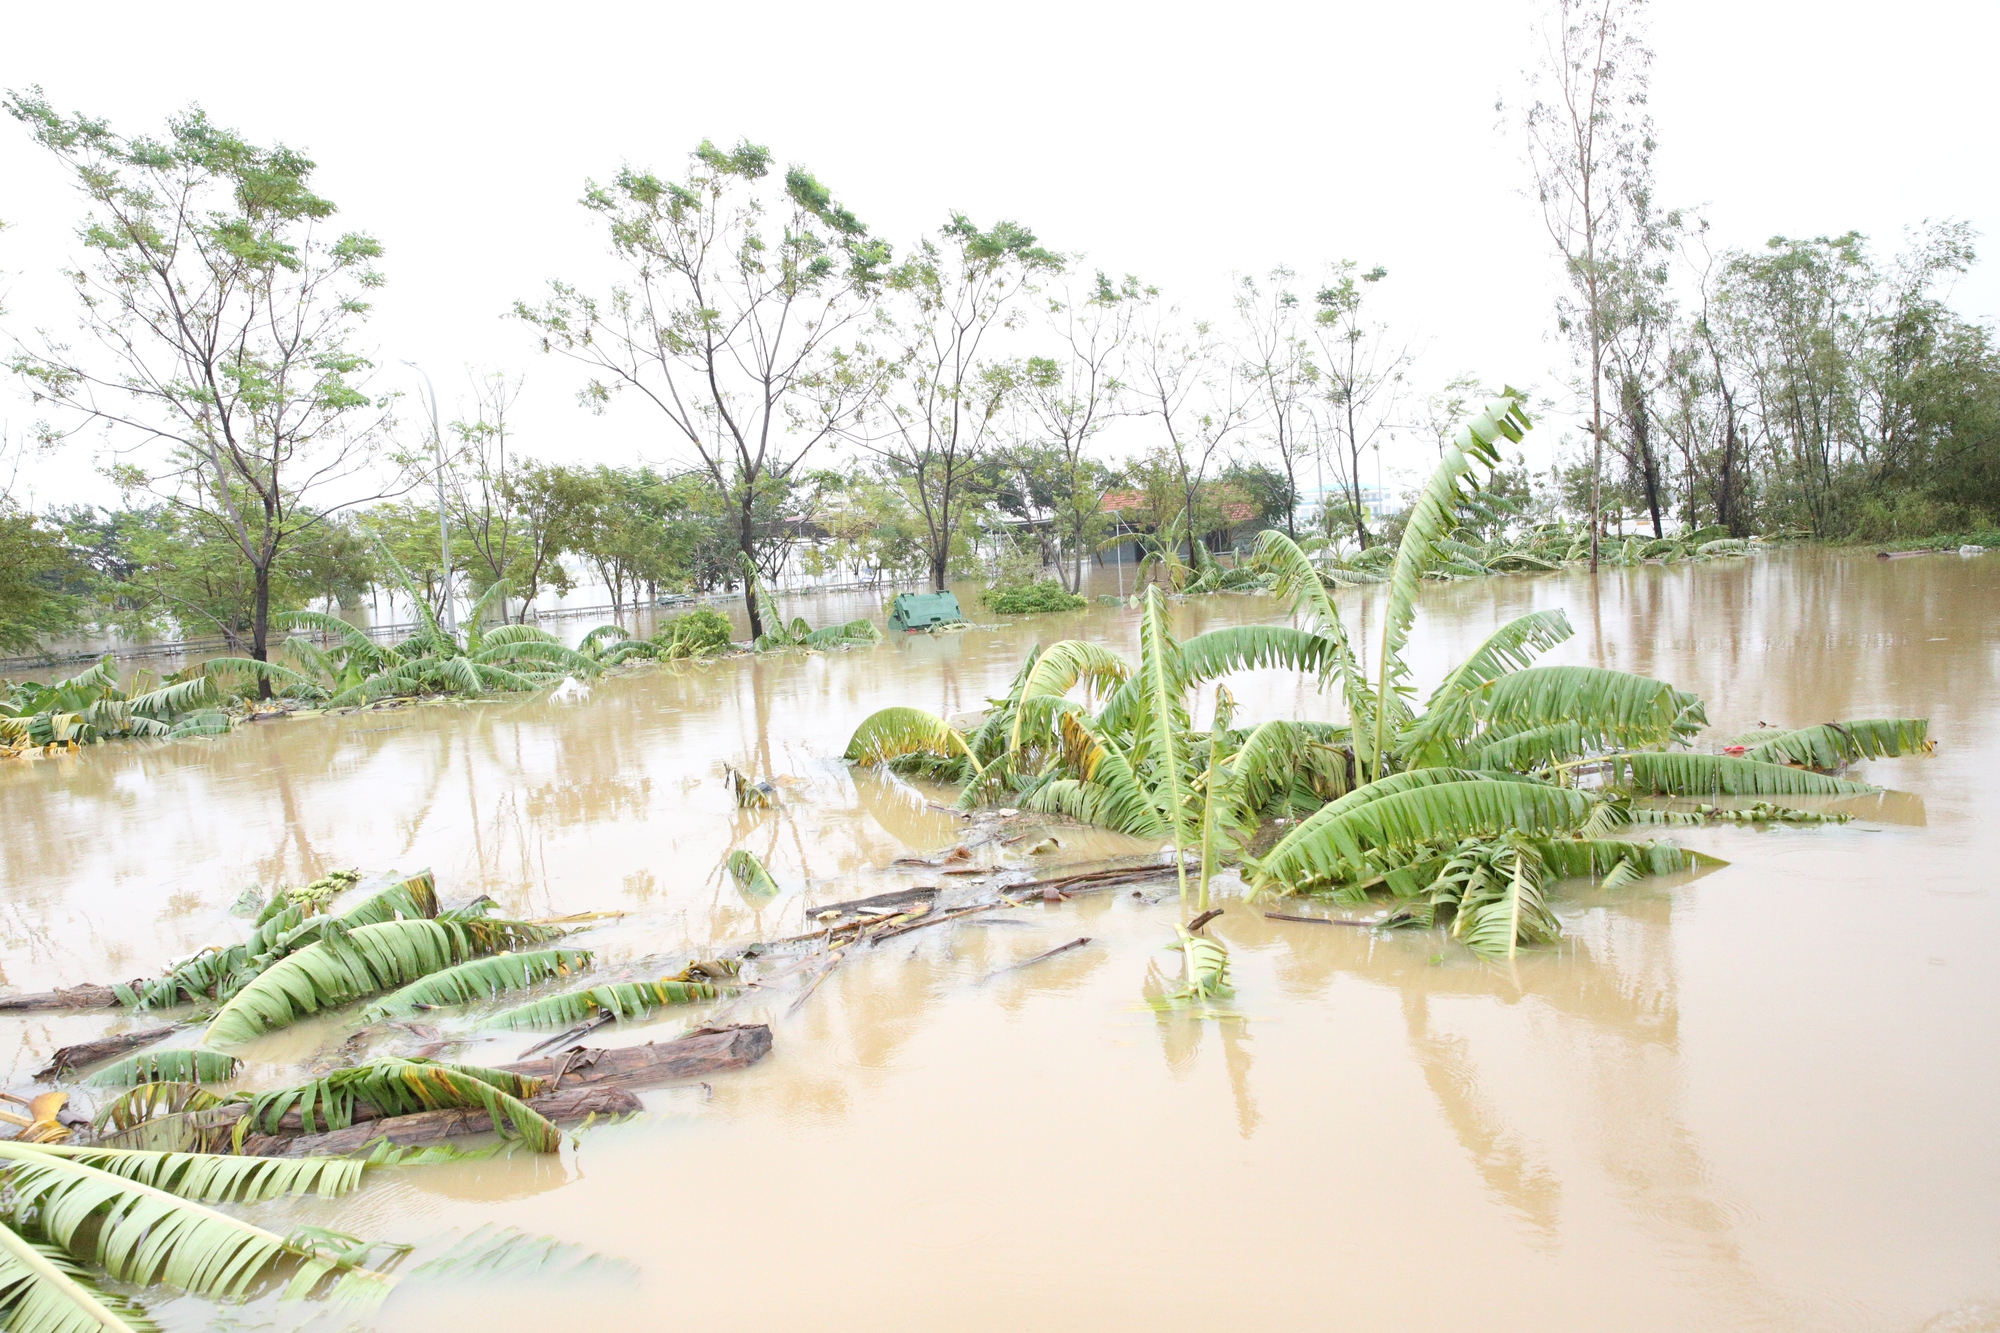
x,y
1755,1100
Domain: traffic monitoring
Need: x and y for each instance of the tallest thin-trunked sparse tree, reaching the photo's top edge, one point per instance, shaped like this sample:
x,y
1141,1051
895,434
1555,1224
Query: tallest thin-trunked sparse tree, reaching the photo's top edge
x,y
1589,139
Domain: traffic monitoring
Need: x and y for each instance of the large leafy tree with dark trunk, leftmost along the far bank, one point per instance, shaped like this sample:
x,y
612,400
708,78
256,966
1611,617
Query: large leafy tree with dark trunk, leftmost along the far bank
x,y
223,313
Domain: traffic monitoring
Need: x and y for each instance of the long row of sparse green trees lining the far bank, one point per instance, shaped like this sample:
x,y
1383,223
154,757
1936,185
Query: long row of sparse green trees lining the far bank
x,y
935,409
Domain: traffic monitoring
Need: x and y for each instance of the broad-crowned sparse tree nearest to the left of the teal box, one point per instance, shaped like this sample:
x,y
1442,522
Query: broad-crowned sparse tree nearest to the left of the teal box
x,y
729,321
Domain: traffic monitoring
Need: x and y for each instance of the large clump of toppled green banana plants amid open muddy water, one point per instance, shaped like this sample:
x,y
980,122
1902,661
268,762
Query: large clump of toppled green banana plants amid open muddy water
x,y
1497,780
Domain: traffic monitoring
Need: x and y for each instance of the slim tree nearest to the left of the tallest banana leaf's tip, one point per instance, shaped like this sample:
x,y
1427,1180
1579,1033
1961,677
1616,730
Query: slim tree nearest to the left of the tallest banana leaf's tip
x,y
1363,375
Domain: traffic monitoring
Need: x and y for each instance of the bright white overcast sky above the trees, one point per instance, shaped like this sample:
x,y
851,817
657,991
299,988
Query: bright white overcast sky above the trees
x,y
1177,143
